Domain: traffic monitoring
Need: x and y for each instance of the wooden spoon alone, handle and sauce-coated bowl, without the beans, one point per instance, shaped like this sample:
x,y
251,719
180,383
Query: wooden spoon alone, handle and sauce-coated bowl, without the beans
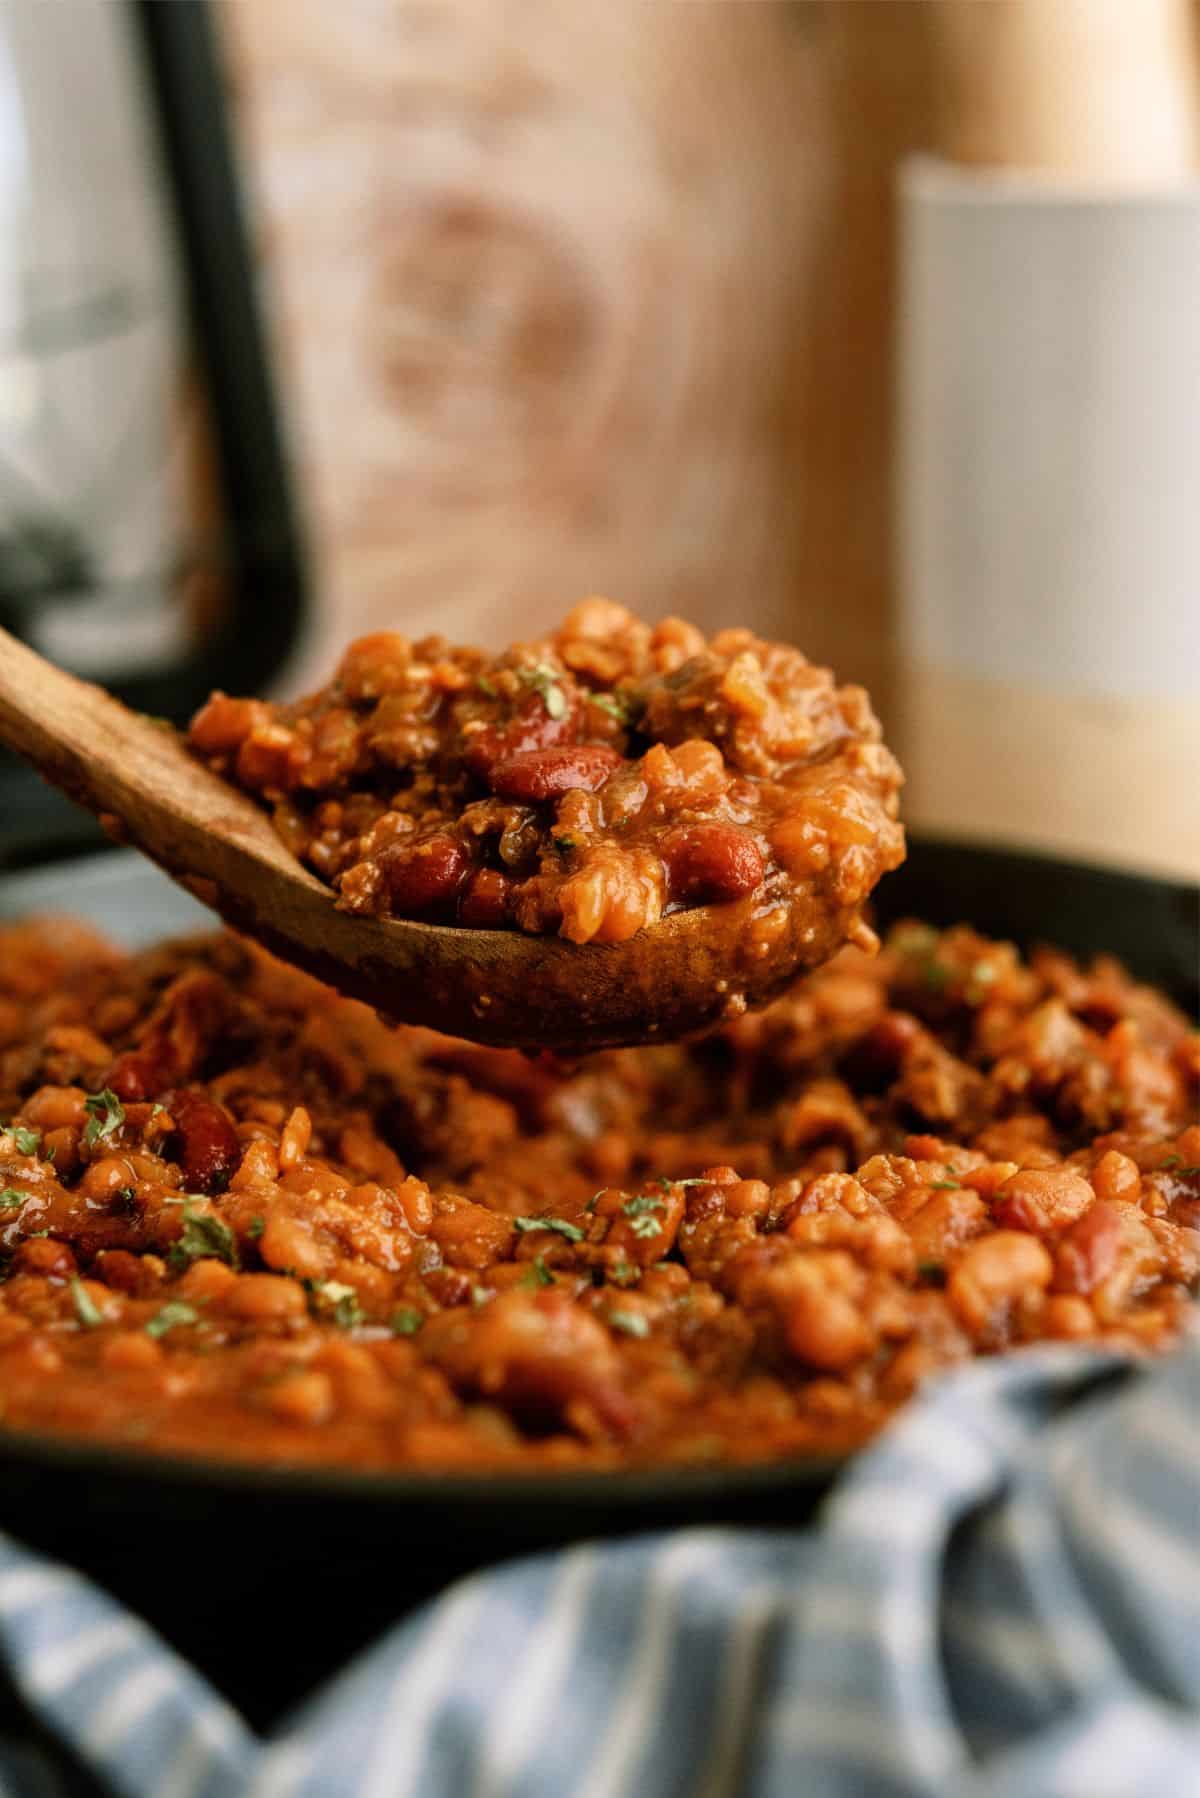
x,y
496,986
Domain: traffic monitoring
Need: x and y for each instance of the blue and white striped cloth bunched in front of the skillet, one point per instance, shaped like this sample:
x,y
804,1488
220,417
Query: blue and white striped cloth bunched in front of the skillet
x,y
1001,1601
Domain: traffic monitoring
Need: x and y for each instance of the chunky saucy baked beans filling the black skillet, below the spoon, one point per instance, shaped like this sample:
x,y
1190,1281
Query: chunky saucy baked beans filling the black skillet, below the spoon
x,y
242,1218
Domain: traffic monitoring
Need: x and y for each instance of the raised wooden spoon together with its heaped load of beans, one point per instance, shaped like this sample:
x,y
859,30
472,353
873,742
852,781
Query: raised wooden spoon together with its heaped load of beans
x,y
618,833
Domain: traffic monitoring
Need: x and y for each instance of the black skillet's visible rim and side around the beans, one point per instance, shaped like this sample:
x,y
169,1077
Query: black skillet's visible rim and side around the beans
x,y
271,1580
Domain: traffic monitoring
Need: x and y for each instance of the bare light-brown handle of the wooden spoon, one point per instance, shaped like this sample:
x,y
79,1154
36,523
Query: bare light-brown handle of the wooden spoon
x,y
132,772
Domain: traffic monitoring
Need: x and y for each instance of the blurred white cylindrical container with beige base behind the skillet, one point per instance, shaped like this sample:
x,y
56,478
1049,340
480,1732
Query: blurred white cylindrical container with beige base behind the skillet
x,y
1050,515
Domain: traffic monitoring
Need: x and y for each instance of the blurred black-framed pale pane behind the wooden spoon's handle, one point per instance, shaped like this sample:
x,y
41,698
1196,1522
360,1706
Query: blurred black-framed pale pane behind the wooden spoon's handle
x,y
147,530
